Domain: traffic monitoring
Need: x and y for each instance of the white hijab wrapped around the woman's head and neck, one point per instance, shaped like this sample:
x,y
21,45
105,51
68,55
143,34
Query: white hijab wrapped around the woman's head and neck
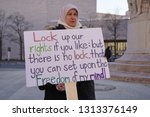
x,y
63,14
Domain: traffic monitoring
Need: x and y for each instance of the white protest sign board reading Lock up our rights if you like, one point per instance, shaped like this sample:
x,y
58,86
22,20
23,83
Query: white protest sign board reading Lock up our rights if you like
x,y
58,56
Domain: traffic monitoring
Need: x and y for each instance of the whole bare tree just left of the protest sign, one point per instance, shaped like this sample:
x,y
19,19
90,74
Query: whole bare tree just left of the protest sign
x,y
17,25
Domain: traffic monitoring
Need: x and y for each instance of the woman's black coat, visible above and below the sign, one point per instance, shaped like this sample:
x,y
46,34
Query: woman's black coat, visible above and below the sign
x,y
85,89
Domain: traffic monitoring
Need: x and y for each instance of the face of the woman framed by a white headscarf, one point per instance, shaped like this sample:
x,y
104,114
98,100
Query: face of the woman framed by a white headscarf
x,y
71,17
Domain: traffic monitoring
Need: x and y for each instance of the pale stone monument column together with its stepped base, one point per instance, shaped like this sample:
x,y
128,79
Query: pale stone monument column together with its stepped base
x,y
134,65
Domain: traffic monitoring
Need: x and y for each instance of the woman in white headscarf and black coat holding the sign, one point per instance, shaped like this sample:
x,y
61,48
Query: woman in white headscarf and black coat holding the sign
x,y
69,20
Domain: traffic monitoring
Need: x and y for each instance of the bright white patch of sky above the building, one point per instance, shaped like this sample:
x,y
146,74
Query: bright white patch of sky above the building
x,y
112,6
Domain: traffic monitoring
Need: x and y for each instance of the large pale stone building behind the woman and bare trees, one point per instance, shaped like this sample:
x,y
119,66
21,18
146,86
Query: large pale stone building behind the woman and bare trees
x,y
41,13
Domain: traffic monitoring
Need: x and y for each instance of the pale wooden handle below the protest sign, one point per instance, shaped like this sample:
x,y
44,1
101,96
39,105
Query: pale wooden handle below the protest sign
x,y
71,91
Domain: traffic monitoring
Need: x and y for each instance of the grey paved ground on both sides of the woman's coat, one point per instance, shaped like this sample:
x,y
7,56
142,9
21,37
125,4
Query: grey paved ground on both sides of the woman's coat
x,y
12,87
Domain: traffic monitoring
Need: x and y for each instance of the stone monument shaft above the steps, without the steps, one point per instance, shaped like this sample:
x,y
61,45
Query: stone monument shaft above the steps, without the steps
x,y
138,38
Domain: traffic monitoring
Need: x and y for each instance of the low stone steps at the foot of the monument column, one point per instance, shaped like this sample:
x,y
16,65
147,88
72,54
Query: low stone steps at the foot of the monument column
x,y
130,72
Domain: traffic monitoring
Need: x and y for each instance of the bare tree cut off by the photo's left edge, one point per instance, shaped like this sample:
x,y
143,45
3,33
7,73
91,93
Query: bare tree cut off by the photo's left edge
x,y
3,25
